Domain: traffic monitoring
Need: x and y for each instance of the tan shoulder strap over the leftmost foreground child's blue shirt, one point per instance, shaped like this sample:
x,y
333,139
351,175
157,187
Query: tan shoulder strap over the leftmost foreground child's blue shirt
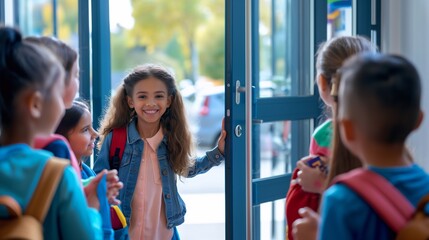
x,y
46,188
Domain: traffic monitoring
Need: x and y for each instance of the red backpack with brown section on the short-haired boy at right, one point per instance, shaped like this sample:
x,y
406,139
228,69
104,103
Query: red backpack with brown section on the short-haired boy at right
x,y
389,203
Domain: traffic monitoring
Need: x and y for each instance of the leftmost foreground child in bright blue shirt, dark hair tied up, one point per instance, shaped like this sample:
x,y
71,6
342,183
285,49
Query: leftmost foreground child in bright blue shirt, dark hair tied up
x,y
31,87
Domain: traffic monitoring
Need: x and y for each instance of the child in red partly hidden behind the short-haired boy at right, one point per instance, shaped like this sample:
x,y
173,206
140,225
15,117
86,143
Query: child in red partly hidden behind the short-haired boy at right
x,y
307,182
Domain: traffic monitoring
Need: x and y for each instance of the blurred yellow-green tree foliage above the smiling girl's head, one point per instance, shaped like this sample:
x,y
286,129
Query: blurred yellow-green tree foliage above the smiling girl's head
x,y
172,26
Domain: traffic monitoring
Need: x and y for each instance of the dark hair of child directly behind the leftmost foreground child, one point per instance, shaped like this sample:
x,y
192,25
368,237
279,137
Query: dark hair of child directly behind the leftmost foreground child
x,y
65,54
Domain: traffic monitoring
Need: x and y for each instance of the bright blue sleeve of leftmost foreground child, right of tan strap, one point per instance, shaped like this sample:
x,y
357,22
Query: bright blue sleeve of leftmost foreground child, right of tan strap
x,y
69,216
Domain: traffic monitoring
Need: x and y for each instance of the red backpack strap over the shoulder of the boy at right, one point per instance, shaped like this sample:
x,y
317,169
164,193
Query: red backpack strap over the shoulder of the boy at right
x,y
386,200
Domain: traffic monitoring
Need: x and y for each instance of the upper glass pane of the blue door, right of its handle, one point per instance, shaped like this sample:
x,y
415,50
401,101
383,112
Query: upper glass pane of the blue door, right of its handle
x,y
285,62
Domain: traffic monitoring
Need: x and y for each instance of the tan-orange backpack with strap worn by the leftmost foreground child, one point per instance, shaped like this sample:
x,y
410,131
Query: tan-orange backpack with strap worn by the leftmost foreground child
x,y
30,224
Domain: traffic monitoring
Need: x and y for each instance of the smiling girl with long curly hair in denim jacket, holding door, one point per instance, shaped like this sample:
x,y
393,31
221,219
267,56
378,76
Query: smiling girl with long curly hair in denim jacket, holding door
x,y
158,148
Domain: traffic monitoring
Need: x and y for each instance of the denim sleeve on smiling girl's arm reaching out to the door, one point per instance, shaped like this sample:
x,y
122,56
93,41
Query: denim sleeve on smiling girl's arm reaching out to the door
x,y
205,163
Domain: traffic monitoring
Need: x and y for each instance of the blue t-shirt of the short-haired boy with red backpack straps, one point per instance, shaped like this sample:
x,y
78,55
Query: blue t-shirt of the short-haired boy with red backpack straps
x,y
344,215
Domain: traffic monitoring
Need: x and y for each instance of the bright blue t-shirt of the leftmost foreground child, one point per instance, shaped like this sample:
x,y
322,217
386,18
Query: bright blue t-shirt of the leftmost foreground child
x,y
68,217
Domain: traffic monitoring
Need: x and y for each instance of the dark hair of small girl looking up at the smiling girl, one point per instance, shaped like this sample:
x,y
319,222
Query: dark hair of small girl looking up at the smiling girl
x,y
72,117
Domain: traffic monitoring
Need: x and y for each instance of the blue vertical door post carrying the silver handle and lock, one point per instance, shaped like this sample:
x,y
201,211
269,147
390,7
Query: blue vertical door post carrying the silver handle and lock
x,y
235,164
